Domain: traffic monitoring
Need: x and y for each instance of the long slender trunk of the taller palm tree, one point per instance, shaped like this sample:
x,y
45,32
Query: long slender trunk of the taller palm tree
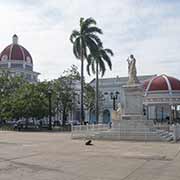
x,y
82,88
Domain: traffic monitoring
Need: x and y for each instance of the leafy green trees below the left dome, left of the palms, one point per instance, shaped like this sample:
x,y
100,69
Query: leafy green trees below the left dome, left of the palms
x,y
21,99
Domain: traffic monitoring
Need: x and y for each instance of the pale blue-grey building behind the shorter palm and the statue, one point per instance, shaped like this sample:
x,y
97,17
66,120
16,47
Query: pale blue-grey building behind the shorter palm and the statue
x,y
110,88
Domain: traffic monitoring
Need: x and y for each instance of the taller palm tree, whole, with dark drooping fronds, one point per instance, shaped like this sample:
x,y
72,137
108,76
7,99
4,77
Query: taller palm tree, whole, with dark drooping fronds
x,y
85,41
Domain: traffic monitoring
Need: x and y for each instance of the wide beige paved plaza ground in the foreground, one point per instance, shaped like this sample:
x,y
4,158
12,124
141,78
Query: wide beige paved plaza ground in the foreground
x,y
42,156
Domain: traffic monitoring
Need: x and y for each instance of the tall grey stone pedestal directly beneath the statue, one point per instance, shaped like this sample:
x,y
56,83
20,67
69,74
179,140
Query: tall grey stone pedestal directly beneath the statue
x,y
132,102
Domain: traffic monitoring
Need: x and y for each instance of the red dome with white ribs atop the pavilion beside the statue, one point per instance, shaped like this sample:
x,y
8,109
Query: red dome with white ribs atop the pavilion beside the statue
x,y
162,83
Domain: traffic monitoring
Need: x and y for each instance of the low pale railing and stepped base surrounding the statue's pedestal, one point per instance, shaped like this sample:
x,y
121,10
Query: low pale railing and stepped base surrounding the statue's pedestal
x,y
126,130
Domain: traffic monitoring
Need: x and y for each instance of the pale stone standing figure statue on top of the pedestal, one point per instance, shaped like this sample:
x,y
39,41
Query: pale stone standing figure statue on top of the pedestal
x,y
132,70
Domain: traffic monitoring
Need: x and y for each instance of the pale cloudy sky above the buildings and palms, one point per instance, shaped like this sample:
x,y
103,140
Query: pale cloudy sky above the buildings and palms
x,y
150,30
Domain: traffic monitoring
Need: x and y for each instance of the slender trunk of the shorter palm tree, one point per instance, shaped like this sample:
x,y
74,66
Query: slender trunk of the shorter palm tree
x,y
97,94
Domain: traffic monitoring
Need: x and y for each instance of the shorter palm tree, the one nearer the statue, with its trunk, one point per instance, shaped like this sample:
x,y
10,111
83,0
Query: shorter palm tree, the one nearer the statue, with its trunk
x,y
97,64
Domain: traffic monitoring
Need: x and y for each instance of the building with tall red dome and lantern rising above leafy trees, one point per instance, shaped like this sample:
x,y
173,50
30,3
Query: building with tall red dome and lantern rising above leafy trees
x,y
16,60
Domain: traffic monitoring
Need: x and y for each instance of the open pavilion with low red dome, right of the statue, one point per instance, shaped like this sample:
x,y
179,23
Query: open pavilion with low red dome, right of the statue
x,y
162,98
